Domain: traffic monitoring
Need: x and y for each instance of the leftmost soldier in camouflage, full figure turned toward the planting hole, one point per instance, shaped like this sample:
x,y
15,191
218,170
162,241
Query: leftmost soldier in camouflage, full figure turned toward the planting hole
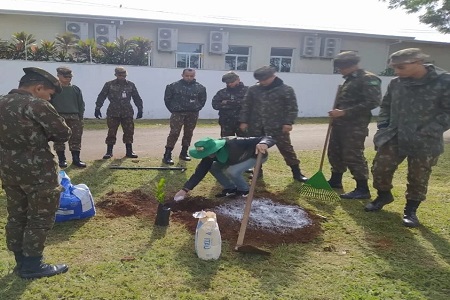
x,y
28,169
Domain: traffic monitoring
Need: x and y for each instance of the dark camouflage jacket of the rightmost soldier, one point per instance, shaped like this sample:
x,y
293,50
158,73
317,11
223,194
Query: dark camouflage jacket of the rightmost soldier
x,y
417,111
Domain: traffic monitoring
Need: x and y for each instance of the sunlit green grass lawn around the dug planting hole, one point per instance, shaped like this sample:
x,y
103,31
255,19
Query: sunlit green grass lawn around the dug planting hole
x,y
373,255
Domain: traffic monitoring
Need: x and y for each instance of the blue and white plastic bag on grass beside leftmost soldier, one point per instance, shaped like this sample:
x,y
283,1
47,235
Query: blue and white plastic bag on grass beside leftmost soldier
x,y
75,202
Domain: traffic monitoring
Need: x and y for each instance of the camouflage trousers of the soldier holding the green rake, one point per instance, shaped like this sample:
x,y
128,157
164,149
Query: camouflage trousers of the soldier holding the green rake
x,y
346,150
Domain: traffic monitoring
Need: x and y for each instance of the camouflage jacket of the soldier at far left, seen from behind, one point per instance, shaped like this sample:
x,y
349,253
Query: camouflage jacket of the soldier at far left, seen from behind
x,y
28,124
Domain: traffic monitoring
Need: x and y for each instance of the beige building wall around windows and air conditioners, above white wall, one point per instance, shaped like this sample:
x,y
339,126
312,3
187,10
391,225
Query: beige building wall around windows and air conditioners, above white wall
x,y
374,51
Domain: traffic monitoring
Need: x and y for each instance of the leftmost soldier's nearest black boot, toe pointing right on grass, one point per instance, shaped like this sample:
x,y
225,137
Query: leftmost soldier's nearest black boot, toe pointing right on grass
x,y
34,267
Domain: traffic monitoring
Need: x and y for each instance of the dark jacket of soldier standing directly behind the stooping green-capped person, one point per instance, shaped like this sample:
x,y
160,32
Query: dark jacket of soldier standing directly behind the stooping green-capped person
x,y
267,108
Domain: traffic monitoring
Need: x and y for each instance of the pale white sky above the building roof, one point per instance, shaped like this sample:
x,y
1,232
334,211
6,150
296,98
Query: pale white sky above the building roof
x,y
363,16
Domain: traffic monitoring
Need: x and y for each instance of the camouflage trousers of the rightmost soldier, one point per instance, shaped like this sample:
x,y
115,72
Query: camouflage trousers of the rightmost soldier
x,y
386,162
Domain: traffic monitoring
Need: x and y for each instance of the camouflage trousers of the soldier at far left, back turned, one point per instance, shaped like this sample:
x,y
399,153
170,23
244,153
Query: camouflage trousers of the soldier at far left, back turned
x,y
31,215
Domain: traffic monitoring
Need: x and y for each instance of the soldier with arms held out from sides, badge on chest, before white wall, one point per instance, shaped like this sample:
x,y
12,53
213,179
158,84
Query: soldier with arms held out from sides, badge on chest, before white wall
x,y
119,91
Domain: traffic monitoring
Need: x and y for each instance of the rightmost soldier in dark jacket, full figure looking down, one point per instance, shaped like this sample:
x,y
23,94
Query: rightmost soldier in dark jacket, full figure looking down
x,y
414,114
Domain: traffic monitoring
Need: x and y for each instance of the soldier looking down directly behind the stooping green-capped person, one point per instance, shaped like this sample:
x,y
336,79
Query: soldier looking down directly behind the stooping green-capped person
x,y
269,109
